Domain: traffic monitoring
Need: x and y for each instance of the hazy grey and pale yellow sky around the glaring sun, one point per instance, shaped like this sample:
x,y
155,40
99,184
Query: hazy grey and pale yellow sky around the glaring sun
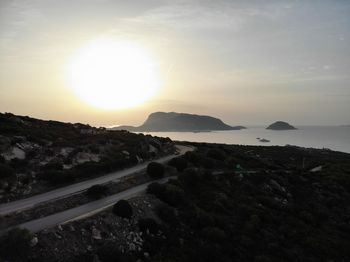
x,y
246,62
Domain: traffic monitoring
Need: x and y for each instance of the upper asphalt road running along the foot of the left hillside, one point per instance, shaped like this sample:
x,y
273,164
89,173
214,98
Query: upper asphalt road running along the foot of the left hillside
x,y
62,192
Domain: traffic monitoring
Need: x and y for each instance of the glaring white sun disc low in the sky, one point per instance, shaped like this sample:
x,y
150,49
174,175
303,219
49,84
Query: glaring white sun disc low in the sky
x,y
113,75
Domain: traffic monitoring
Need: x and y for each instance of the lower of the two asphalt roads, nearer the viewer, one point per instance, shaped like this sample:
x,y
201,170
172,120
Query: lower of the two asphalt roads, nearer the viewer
x,y
84,210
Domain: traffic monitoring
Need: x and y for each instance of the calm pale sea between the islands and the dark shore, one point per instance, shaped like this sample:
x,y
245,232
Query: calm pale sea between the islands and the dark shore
x,y
332,137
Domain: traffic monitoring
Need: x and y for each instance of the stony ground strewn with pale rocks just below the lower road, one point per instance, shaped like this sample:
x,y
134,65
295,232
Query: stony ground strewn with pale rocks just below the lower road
x,y
83,238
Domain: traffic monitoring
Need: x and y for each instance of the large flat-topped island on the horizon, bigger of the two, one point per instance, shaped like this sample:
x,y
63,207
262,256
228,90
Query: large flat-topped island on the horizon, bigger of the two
x,y
179,122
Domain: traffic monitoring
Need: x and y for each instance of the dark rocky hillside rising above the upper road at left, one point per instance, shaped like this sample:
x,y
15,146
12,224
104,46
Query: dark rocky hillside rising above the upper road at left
x,y
36,155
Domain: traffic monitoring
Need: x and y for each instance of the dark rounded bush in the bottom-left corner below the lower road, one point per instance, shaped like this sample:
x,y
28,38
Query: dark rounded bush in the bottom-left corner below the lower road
x,y
15,244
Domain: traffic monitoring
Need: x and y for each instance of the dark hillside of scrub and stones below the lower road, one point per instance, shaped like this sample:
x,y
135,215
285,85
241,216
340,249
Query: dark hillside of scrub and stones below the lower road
x,y
226,203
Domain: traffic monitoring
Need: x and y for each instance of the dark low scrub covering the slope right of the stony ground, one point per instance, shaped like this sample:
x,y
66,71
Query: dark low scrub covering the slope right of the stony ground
x,y
266,208
